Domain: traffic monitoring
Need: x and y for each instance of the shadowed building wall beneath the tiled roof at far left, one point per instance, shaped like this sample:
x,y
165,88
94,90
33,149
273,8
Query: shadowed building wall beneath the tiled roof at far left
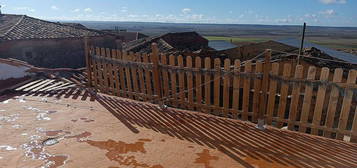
x,y
53,53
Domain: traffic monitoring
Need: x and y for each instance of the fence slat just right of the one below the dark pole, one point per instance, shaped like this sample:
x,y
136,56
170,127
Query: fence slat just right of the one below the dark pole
x,y
307,100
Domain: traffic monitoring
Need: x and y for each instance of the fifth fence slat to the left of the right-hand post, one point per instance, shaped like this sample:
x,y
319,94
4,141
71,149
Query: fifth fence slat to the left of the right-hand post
x,y
217,84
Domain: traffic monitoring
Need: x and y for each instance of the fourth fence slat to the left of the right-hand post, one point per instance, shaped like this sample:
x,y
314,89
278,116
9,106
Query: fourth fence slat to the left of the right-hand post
x,y
226,82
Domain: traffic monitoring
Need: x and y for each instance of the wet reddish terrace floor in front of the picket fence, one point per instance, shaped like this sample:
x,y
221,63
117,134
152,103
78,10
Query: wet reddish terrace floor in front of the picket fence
x,y
67,131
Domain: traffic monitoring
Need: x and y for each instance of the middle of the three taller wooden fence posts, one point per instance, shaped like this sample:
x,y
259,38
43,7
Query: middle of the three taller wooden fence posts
x,y
156,70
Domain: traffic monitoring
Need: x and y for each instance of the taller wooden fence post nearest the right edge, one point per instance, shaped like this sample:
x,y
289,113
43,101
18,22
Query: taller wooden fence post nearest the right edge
x,y
265,85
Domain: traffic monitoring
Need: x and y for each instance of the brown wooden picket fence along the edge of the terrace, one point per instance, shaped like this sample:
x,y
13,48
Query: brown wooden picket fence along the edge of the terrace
x,y
319,101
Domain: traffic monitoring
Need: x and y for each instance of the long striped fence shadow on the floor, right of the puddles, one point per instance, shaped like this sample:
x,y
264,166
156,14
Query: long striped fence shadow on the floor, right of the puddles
x,y
239,140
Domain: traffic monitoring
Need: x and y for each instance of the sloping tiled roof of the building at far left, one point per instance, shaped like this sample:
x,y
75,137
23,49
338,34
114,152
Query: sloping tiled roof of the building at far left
x,y
19,27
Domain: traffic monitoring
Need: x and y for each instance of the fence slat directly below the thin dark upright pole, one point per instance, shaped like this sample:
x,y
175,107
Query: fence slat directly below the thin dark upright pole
x,y
295,97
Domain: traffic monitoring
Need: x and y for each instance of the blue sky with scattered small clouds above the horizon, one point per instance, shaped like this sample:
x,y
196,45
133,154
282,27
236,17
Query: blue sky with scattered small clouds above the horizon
x,y
273,12
